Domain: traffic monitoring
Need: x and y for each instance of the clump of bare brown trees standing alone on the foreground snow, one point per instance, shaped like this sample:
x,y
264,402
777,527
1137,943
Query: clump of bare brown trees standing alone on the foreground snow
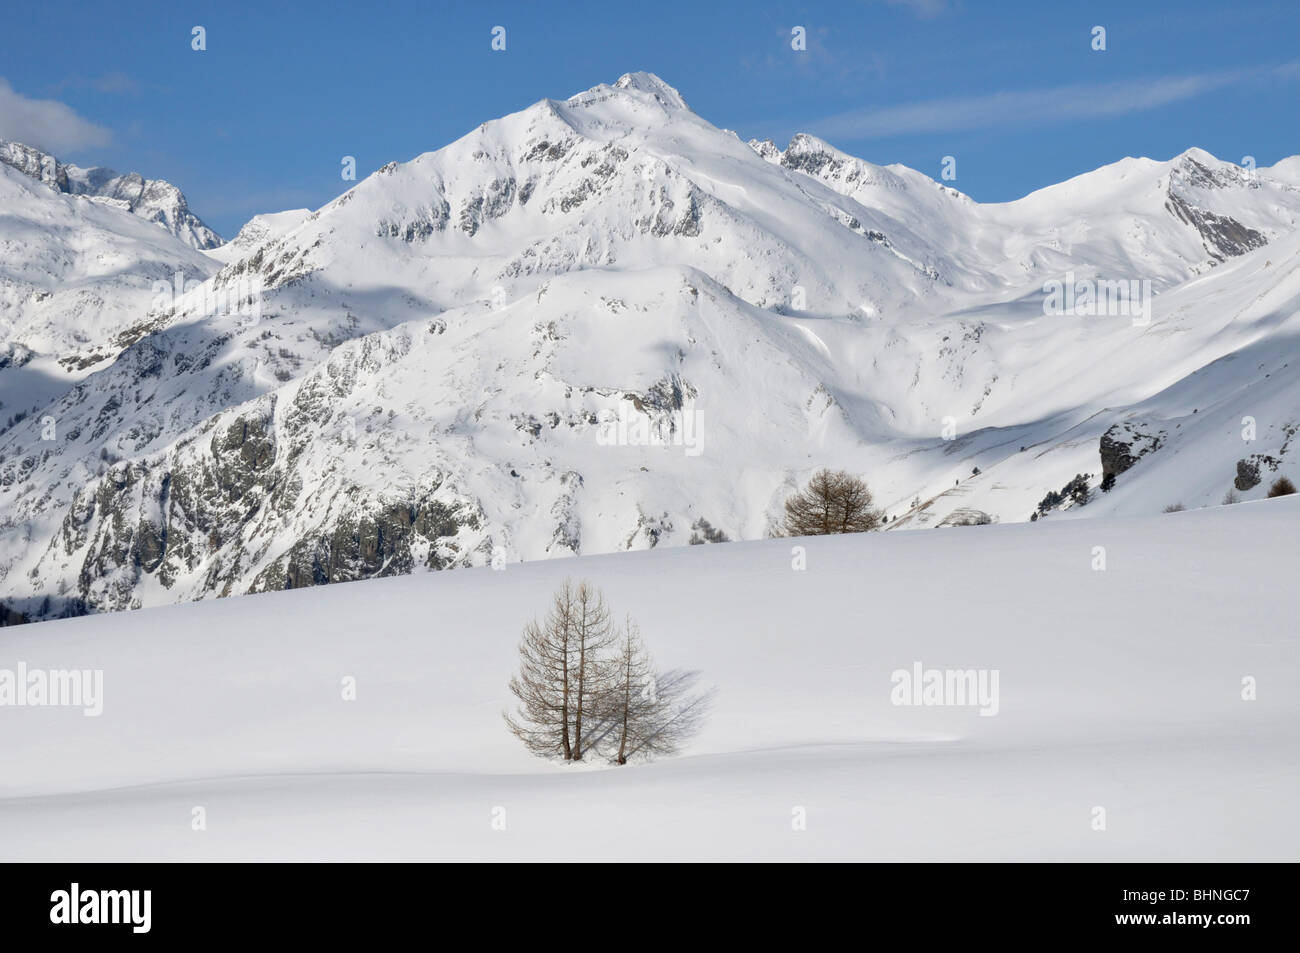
x,y
587,686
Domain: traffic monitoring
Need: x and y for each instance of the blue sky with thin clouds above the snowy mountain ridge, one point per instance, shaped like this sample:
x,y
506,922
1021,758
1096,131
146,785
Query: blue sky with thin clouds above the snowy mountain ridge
x,y
1013,90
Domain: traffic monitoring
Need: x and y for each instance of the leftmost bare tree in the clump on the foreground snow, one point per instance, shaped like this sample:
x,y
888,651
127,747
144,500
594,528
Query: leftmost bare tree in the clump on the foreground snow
x,y
544,685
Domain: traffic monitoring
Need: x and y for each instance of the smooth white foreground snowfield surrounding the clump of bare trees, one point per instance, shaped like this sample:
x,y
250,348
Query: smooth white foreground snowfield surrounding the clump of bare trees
x,y
1120,690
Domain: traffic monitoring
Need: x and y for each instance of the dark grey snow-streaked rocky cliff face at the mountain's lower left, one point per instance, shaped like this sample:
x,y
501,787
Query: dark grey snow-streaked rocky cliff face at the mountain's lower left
x,y
228,510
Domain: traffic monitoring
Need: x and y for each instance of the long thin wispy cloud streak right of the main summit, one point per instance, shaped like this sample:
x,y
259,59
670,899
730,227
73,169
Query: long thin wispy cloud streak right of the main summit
x,y
1055,105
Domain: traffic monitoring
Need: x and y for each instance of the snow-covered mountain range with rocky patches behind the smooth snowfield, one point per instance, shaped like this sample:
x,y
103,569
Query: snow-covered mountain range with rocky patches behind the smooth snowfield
x,y
604,324
